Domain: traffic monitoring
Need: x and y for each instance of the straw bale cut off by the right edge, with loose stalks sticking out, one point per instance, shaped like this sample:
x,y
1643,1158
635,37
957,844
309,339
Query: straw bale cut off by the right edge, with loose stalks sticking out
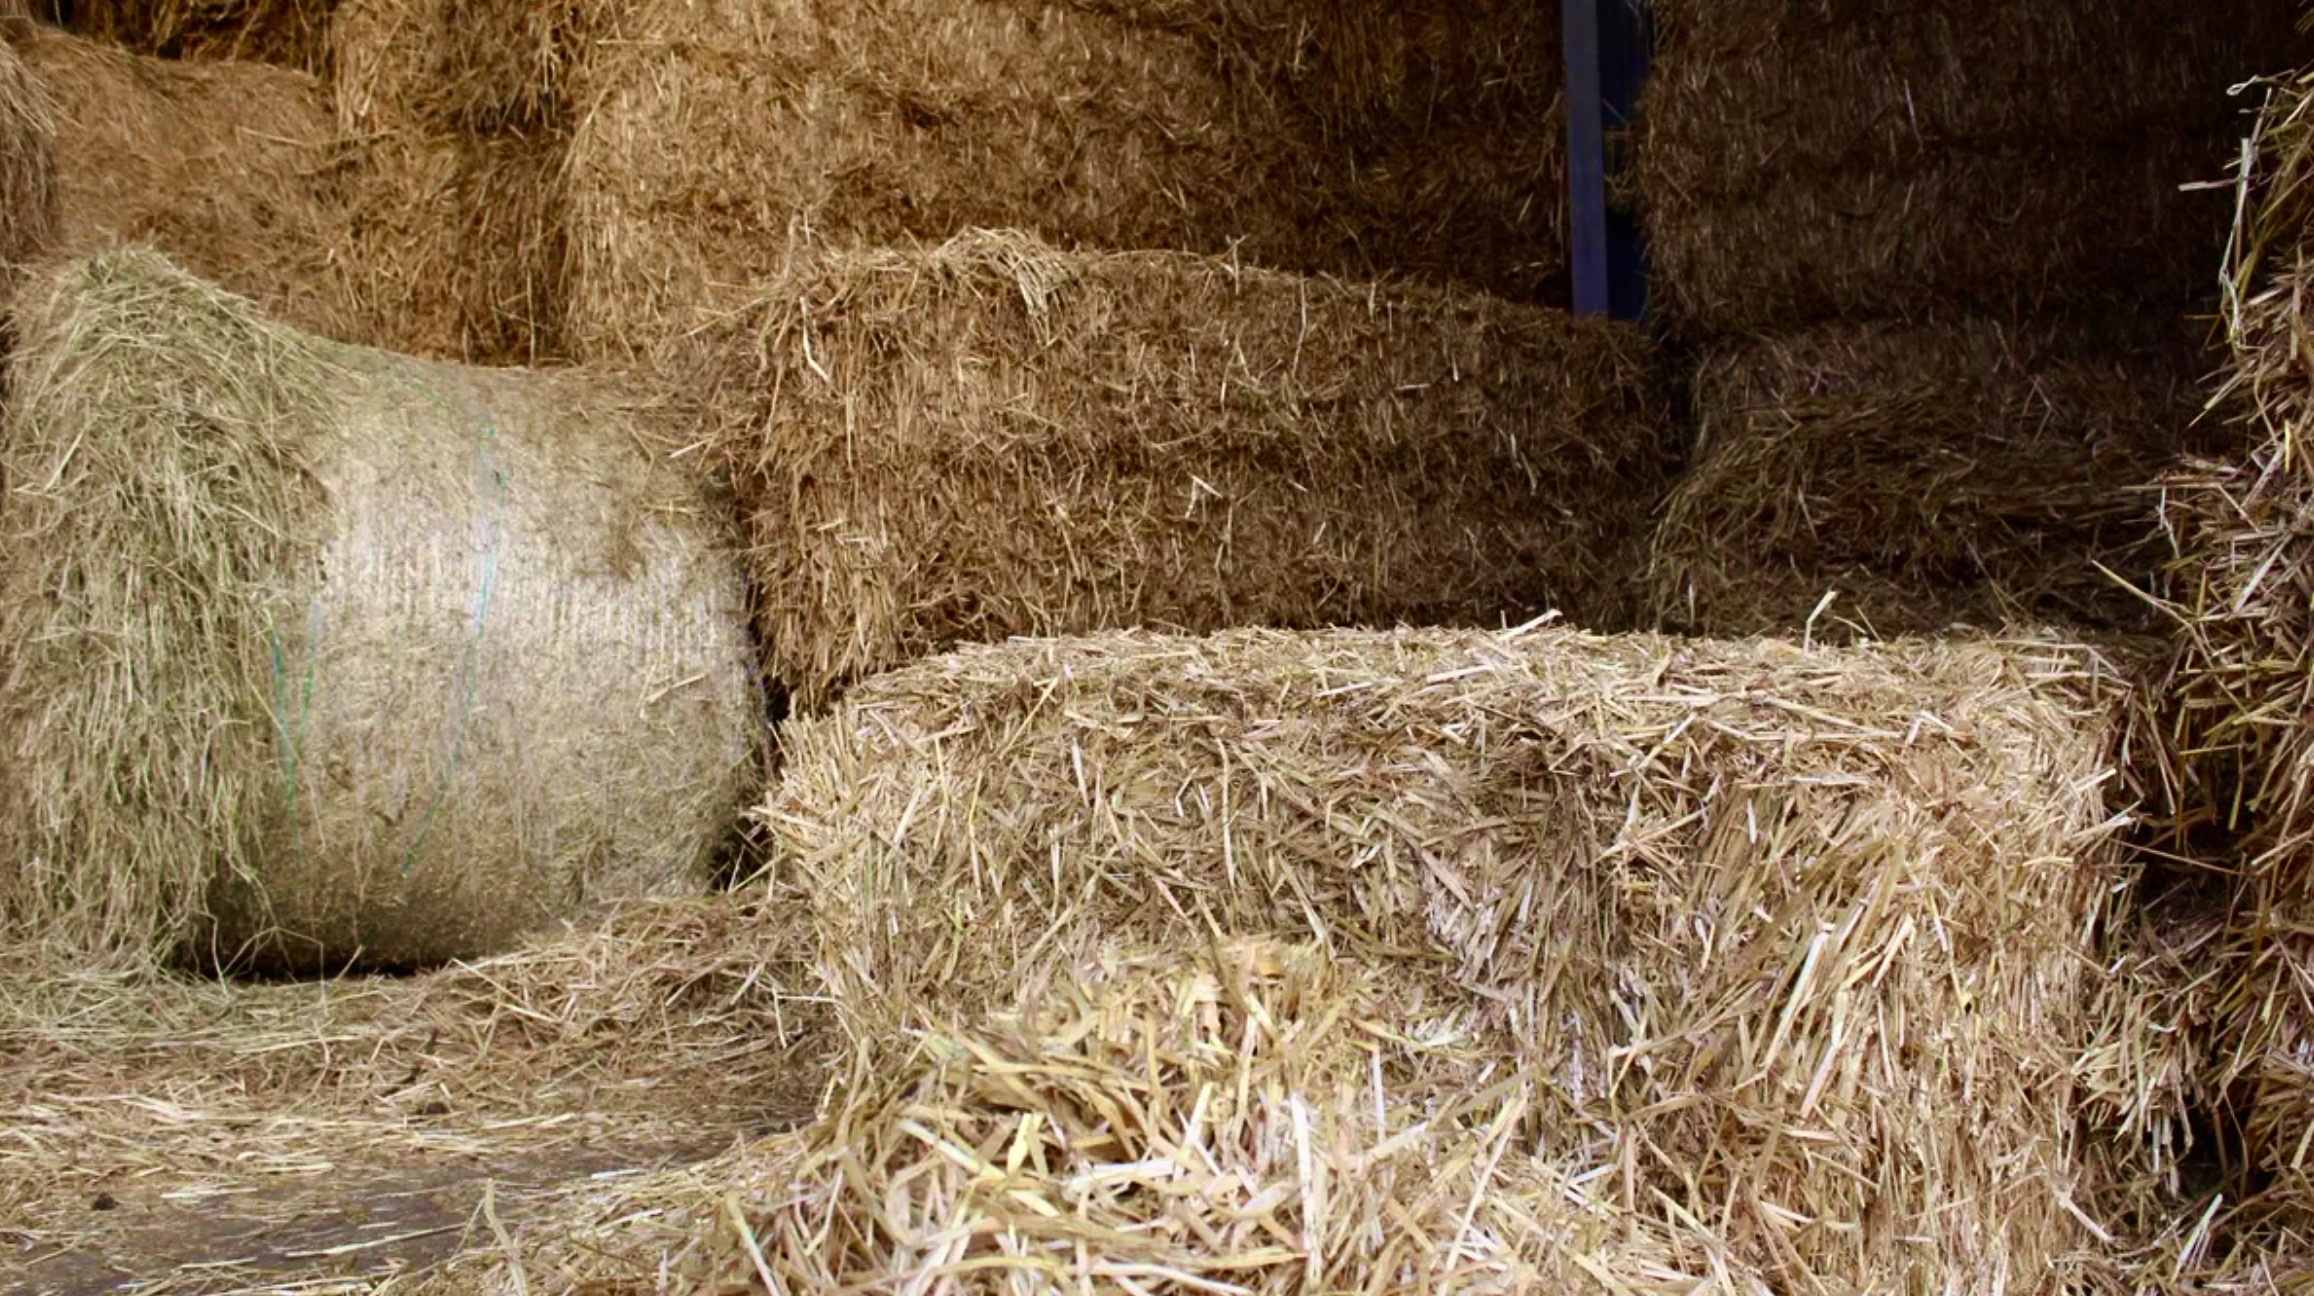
x,y
2239,698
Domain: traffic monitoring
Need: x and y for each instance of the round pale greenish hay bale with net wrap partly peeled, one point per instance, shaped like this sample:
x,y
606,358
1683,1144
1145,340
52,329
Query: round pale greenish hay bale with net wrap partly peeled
x,y
392,661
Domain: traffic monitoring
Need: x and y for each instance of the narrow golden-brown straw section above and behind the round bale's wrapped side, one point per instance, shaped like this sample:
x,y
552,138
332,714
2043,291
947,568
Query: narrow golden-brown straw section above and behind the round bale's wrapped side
x,y
464,202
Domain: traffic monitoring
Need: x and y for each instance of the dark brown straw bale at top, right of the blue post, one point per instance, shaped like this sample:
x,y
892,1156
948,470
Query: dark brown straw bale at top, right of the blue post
x,y
1862,161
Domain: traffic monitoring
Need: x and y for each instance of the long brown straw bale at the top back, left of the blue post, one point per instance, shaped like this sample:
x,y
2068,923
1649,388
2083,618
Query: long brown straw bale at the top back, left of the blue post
x,y
714,133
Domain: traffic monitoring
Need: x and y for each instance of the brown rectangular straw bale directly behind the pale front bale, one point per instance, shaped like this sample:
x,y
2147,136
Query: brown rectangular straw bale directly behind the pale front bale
x,y
996,439
